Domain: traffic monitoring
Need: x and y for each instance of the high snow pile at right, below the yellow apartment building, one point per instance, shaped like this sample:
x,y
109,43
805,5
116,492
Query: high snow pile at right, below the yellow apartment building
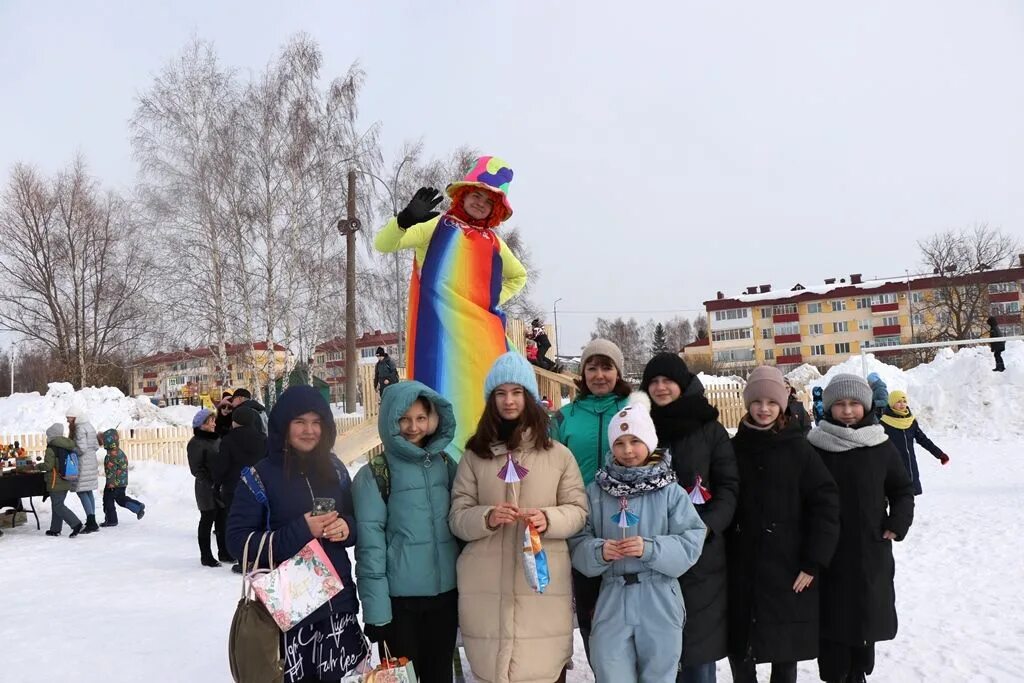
x,y
958,393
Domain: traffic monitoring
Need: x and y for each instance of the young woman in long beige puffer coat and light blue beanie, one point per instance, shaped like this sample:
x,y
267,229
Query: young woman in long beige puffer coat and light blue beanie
x,y
511,631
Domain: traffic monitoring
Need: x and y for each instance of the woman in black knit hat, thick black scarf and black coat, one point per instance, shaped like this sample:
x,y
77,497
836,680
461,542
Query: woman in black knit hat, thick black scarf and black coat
x,y
702,457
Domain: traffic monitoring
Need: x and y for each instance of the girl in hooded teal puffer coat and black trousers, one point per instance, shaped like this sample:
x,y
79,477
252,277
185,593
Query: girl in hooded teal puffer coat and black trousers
x,y
405,552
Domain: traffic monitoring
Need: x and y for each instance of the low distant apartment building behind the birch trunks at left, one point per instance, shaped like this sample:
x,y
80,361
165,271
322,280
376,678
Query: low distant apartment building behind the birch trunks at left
x,y
187,374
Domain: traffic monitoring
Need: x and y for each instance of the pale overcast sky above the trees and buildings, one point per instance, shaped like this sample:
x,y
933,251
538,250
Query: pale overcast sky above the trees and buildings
x,y
662,151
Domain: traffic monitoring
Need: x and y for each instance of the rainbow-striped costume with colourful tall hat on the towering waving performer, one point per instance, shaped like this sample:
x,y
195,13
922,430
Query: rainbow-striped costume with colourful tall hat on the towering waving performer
x,y
462,275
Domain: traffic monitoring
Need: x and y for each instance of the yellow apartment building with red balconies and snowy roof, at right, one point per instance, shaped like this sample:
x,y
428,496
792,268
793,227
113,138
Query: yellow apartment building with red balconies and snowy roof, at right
x,y
824,325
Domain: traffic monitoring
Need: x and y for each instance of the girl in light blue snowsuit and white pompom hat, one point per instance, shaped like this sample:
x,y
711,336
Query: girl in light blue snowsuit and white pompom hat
x,y
643,534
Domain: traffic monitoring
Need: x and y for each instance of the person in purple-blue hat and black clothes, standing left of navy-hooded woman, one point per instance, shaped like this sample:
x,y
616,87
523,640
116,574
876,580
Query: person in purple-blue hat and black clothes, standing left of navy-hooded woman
x,y
203,452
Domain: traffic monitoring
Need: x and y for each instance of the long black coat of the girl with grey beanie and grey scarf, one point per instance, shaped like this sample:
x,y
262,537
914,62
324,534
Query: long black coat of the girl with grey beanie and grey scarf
x,y
859,599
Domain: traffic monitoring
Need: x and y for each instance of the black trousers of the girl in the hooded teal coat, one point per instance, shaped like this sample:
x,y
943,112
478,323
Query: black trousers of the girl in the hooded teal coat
x,y
424,630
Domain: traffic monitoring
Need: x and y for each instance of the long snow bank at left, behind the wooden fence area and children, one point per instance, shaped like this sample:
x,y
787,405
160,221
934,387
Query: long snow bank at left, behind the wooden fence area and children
x,y
104,407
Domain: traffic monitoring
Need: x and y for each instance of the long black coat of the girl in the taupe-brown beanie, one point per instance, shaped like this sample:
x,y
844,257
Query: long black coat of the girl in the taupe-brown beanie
x,y
787,523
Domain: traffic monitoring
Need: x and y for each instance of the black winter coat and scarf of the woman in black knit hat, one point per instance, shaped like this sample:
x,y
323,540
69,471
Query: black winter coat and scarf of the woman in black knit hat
x,y
700,446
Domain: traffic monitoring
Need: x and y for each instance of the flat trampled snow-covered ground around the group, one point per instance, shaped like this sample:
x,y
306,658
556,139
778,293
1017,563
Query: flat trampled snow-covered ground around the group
x,y
134,604
